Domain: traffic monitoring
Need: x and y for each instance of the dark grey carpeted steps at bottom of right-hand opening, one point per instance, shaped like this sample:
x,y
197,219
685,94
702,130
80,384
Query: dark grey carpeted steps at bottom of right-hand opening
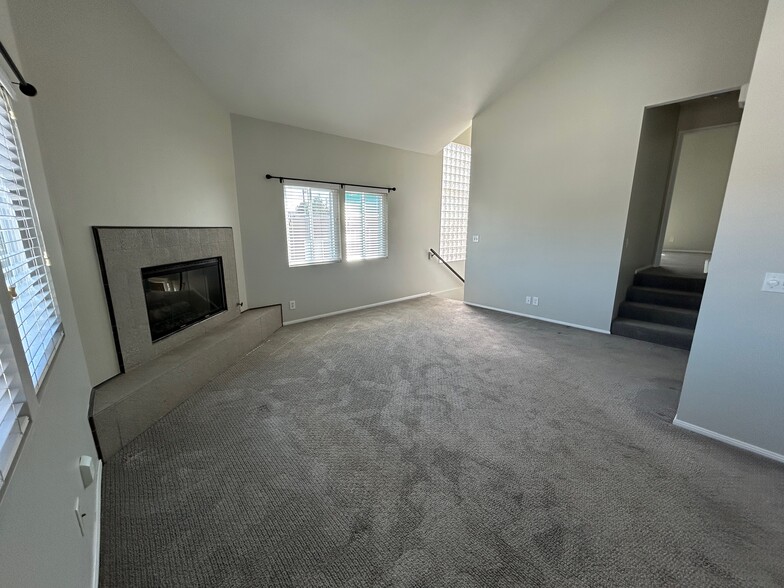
x,y
661,307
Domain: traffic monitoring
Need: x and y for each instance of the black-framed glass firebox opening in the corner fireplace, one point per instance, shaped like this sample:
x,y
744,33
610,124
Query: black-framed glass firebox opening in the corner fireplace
x,y
179,295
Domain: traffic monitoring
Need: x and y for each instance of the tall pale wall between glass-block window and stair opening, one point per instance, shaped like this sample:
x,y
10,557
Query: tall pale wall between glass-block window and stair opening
x,y
553,160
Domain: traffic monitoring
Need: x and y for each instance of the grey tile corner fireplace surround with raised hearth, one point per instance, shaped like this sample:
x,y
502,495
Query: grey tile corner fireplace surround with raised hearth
x,y
156,377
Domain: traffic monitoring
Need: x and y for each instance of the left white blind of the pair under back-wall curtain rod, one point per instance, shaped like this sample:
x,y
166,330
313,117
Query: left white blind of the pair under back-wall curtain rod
x,y
312,224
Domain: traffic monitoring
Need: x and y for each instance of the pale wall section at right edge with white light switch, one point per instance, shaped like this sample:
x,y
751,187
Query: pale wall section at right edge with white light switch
x,y
734,382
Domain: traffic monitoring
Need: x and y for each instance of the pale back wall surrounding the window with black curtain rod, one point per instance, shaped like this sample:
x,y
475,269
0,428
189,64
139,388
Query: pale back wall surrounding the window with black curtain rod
x,y
414,218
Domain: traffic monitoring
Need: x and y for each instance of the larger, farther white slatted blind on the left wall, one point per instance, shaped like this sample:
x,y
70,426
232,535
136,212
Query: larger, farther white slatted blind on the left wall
x,y
22,255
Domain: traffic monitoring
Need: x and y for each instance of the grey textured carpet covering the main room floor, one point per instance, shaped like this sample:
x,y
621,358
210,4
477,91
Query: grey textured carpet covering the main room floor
x,y
437,445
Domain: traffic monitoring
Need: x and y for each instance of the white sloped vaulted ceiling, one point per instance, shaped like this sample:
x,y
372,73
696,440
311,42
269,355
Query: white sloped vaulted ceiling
x,y
406,73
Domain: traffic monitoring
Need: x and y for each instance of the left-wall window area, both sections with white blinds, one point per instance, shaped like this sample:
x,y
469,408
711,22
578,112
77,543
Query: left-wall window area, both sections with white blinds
x,y
30,327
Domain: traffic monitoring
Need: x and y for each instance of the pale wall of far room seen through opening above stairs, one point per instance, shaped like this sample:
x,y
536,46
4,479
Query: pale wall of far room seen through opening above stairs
x,y
703,167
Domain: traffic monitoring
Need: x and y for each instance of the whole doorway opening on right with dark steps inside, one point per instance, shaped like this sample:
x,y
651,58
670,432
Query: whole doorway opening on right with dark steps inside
x,y
683,164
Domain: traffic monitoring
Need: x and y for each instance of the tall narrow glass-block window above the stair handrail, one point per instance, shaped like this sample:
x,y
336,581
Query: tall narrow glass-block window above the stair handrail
x,y
454,201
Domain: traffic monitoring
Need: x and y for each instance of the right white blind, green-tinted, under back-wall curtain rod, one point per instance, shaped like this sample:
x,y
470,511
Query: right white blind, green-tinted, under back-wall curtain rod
x,y
366,225
